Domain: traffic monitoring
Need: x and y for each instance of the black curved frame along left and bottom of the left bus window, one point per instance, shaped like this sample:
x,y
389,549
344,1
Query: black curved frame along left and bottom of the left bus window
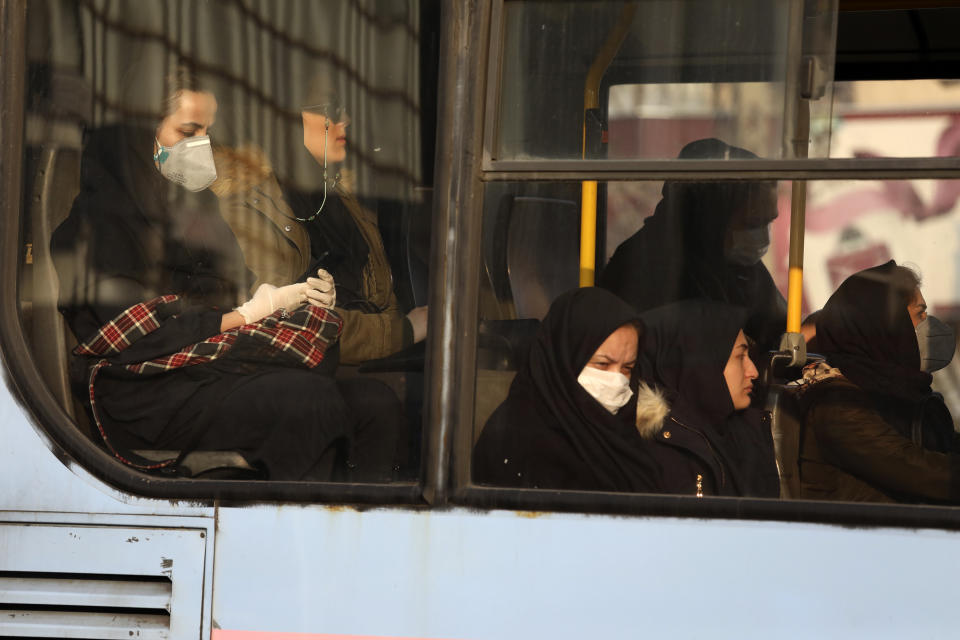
x,y
22,377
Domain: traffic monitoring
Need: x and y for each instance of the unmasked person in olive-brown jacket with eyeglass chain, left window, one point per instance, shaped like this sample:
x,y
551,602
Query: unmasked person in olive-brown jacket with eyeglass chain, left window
x,y
301,231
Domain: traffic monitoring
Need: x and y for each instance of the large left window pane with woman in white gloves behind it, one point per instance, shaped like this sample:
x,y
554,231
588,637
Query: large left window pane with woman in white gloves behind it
x,y
246,191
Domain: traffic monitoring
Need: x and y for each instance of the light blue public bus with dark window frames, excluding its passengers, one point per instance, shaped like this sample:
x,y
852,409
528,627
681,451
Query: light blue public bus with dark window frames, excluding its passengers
x,y
508,147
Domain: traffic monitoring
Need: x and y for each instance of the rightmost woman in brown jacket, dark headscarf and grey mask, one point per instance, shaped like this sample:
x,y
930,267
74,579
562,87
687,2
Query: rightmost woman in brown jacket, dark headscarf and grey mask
x,y
873,429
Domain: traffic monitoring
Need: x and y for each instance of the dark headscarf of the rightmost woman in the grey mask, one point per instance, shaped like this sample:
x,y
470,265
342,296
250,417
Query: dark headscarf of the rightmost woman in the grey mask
x,y
865,331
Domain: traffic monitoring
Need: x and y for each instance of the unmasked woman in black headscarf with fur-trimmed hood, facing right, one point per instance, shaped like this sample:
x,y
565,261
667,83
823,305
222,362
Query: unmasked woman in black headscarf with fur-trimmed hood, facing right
x,y
699,426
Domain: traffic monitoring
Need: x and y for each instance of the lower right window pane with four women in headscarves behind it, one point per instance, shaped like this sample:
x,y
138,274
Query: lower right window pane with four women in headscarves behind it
x,y
545,418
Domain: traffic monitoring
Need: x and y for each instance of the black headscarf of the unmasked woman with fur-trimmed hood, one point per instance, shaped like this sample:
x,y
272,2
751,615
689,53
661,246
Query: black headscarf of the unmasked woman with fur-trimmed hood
x,y
686,351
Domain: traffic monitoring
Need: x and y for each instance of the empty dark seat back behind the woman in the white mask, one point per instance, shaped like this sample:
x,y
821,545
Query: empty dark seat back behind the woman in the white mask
x,y
537,247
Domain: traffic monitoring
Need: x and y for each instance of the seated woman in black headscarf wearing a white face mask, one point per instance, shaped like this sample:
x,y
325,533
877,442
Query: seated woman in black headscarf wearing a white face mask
x,y
567,422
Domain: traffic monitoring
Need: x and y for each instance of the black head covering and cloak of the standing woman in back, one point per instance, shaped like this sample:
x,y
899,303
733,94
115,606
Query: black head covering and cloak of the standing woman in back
x,y
679,253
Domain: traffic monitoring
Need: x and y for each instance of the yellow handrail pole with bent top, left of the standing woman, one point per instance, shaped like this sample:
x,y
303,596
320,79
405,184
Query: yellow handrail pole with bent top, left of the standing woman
x,y
588,188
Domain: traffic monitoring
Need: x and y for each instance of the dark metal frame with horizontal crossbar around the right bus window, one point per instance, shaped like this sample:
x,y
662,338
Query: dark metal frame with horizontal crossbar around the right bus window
x,y
466,493
